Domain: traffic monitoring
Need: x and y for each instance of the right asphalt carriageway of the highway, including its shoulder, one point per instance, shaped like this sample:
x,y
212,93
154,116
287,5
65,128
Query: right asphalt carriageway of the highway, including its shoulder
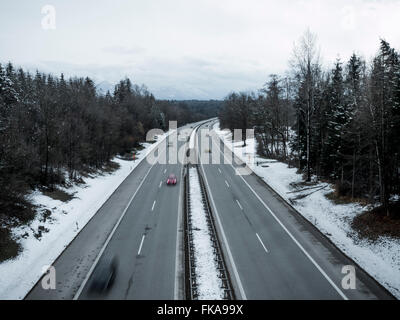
x,y
273,253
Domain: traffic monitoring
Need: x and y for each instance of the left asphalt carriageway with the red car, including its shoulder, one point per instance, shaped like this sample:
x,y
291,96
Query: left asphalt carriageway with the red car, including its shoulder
x,y
139,225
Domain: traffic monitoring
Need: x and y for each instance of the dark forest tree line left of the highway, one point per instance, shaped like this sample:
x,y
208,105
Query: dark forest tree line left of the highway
x,y
54,129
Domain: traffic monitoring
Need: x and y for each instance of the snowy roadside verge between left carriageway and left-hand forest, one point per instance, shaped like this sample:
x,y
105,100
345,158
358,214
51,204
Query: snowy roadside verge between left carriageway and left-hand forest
x,y
19,275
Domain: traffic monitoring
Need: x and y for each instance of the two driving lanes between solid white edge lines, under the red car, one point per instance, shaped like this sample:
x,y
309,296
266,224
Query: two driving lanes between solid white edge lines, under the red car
x,y
145,242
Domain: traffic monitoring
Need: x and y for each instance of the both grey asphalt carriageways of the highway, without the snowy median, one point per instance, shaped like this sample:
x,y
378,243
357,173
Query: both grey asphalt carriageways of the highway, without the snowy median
x,y
270,250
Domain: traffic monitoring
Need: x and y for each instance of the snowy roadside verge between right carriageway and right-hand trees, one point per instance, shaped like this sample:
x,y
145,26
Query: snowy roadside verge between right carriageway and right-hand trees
x,y
381,258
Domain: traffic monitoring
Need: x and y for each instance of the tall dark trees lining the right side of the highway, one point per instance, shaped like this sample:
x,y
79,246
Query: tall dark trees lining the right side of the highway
x,y
340,124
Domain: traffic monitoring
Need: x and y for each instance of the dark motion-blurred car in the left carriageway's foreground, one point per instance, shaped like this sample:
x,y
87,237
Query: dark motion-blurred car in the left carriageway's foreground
x,y
104,275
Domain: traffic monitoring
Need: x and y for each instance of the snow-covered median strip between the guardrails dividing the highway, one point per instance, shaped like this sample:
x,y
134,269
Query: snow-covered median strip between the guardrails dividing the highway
x,y
208,282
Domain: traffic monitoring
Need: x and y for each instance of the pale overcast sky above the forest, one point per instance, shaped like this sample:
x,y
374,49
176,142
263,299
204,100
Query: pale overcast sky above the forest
x,y
185,49
